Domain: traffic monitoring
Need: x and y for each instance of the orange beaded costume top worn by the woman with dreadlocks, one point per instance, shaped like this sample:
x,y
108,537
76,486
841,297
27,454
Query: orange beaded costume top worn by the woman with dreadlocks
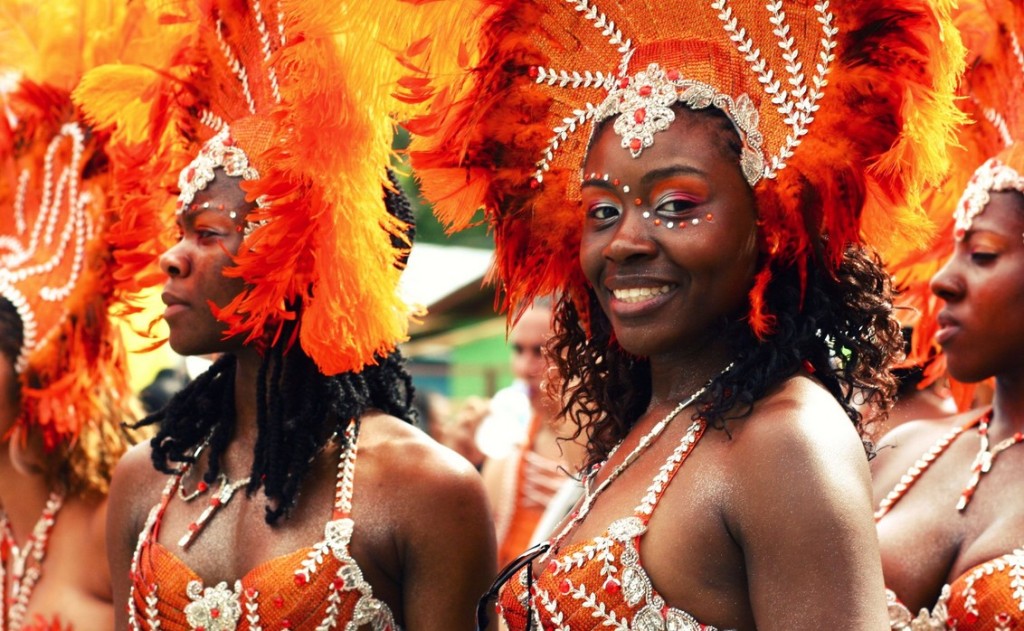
x,y
320,587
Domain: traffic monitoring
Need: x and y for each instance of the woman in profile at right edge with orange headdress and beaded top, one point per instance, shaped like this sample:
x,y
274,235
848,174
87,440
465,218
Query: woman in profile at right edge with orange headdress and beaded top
x,y
951,518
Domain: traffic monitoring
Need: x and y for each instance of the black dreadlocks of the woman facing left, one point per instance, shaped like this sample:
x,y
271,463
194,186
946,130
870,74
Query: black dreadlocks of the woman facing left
x,y
300,409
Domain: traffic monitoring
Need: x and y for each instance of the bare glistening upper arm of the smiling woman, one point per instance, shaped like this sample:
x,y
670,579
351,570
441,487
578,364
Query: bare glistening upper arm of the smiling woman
x,y
803,517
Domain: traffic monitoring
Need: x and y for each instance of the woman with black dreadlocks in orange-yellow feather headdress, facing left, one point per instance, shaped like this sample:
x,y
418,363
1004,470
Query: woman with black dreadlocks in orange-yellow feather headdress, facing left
x,y
285,489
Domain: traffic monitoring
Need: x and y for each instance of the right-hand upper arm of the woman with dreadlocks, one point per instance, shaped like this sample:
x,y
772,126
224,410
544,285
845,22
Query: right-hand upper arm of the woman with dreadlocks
x,y
450,557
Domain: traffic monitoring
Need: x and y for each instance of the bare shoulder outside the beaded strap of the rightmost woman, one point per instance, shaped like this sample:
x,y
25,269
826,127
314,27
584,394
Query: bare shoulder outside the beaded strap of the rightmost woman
x,y
900,449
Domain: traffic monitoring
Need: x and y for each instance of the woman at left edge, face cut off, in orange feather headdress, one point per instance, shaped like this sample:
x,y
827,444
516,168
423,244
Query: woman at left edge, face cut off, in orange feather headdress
x,y
64,392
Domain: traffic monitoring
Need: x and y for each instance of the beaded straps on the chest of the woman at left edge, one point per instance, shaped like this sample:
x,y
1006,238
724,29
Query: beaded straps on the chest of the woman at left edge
x,y
27,562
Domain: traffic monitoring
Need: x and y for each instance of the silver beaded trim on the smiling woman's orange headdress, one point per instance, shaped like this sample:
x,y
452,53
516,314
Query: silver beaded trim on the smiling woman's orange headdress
x,y
643,102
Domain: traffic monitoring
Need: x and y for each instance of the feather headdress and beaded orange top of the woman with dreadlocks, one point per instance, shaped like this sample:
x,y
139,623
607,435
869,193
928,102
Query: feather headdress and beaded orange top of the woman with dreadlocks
x,y
298,101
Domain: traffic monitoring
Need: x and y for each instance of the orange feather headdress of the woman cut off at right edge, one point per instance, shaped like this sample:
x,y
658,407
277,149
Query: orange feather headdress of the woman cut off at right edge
x,y
993,31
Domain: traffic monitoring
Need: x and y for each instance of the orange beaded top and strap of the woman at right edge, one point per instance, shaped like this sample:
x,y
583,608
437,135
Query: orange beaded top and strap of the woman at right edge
x,y
987,598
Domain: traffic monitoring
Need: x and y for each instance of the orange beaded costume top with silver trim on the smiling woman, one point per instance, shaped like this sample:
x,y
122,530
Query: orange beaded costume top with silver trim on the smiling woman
x,y
602,583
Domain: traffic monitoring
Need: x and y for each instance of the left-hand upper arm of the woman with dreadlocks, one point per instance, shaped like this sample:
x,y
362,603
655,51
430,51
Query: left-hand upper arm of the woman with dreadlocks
x,y
124,522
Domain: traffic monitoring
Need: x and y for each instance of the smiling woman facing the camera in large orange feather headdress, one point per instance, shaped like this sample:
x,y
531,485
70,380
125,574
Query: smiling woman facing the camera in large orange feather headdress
x,y
698,183
